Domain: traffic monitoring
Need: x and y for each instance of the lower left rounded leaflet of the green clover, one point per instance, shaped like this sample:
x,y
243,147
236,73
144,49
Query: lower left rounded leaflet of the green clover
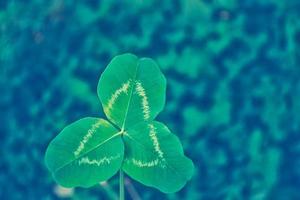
x,y
86,152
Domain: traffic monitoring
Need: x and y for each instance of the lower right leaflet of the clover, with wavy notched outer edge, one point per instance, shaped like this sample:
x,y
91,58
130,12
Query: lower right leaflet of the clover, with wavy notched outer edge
x,y
154,157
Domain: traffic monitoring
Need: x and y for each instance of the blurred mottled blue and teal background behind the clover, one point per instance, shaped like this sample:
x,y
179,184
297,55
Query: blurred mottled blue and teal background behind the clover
x,y
233,71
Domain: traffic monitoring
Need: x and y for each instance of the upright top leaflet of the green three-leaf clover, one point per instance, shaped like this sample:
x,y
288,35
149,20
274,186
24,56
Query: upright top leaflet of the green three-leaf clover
x,y
131,90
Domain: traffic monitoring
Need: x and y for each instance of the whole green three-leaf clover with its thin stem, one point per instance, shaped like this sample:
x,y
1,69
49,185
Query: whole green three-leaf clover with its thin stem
x,y
132,92
